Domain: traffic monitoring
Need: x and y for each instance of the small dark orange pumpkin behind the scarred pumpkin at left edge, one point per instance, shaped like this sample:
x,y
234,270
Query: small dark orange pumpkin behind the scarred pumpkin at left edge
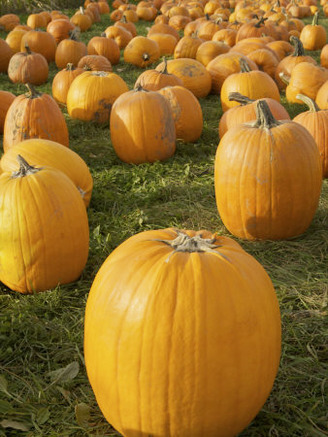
x,y
28,67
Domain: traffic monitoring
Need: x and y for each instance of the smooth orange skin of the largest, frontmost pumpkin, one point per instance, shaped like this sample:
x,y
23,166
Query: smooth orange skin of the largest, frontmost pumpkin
x,y
175,372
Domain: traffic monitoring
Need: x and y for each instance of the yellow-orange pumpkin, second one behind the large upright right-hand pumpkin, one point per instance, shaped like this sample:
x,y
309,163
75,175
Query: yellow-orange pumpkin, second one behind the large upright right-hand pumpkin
x,y
254,84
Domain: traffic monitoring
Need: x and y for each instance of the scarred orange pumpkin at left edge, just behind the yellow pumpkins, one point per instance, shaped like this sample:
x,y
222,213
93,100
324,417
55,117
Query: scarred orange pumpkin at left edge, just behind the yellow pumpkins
x,y
34,115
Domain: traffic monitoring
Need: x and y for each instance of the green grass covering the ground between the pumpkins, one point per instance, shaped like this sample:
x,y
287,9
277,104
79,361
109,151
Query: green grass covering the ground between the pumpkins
x,y
44,390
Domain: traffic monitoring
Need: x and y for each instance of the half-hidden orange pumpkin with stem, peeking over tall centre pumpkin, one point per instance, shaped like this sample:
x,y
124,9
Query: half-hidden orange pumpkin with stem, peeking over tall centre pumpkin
x,y
154,80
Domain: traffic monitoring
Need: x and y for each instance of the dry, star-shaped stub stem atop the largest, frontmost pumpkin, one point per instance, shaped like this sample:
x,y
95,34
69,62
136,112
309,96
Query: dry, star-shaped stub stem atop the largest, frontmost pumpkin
x,y
186,244
